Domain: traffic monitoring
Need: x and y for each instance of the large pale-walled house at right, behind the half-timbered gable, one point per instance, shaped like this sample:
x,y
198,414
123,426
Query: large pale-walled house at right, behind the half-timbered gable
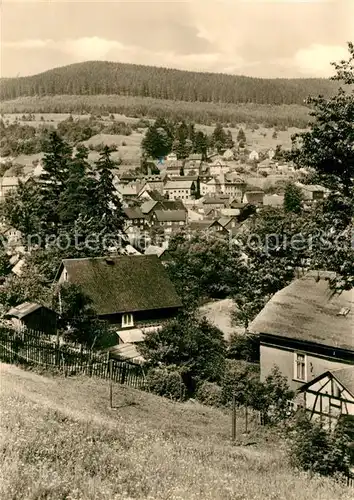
x,y
306,330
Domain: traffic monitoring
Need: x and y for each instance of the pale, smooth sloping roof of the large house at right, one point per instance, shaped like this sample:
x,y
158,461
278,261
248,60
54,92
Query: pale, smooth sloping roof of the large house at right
x,y
307,310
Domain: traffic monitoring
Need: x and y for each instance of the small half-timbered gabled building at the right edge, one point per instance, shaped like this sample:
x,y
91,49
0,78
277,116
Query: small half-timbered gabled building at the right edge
x,y
329,396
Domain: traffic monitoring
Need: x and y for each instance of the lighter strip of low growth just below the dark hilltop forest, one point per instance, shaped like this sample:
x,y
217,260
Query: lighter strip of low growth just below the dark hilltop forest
x,y
137,107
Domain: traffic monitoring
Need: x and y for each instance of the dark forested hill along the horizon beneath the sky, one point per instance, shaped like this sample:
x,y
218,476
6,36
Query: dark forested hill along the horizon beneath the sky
x,y
93,78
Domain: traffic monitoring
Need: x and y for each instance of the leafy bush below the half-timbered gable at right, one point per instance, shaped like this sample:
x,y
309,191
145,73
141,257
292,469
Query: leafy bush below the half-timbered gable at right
x,y
318,450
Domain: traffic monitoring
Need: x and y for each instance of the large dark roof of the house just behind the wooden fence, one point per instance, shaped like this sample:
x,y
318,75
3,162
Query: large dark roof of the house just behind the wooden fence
x,y
123,283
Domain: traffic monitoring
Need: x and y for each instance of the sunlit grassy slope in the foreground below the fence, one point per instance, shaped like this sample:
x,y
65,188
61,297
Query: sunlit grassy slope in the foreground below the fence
x,y
59,441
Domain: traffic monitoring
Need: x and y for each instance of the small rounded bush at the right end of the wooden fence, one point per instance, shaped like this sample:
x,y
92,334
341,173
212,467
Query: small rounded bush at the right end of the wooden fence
x,y
166,381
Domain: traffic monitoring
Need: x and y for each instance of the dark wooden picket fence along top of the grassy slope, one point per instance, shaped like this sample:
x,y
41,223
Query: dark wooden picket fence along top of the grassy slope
x,y
35,350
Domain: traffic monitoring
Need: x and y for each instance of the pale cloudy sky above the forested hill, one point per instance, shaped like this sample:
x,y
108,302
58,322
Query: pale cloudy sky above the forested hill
x,y
261,38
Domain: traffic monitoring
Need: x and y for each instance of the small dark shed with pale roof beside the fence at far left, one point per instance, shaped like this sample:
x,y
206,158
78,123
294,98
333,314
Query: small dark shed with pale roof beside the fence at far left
x,y
33,316
